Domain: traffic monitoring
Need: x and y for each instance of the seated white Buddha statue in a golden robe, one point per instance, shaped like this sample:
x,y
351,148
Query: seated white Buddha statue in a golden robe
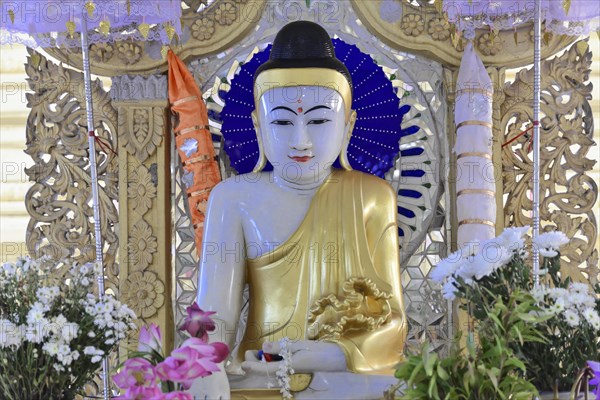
x,y
317,245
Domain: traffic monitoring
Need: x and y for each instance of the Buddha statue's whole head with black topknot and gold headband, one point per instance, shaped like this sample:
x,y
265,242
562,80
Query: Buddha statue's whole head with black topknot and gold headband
x,y
303,96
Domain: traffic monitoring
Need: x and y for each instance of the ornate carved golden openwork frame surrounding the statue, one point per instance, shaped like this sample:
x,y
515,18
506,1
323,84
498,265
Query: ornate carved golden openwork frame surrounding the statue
x,y
138,181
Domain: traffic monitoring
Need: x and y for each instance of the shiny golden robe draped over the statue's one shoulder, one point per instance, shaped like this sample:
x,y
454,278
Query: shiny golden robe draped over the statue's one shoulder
x,y
337,278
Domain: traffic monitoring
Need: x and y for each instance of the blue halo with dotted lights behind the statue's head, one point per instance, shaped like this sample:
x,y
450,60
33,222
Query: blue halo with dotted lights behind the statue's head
x,y
375,140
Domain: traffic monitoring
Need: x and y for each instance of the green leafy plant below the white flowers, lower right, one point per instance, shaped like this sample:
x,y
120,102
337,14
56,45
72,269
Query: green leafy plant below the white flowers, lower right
x,y
488,370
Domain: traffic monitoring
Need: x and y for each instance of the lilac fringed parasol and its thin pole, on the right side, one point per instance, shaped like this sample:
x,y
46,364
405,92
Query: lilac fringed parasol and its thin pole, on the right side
x,y
571,17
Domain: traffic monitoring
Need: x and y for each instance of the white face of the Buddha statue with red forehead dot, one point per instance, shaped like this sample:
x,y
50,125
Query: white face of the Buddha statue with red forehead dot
x,y
302,130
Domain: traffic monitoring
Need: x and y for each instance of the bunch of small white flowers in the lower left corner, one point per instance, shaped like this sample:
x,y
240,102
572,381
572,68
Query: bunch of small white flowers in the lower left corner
x,y
54,331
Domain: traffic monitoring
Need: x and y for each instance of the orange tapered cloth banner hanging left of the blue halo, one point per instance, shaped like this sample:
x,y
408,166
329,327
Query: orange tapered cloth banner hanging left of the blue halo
x,y
193,140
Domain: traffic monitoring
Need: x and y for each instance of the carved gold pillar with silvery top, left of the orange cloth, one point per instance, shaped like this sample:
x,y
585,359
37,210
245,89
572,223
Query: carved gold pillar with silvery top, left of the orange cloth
x,y
145,199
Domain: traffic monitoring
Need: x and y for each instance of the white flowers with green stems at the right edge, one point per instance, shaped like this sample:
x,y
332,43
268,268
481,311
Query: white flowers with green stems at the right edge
x,y
494,269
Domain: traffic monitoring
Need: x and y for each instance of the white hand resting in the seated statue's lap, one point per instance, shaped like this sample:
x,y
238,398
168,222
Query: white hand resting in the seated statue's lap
x,y
307,356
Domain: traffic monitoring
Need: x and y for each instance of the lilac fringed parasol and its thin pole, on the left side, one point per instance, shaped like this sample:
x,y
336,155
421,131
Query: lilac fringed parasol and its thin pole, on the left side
x,y
49,23
